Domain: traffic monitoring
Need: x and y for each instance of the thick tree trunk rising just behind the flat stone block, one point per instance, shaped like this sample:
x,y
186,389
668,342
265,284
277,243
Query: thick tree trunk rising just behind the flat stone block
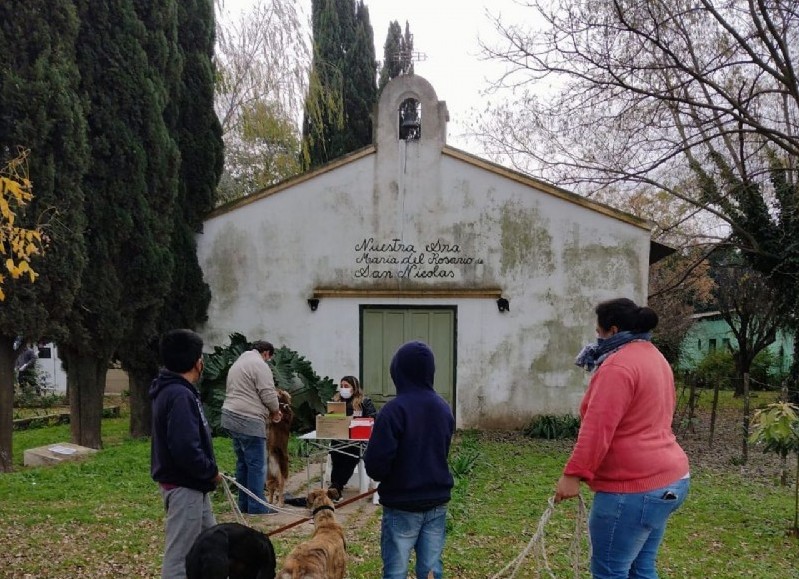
x,y
86,380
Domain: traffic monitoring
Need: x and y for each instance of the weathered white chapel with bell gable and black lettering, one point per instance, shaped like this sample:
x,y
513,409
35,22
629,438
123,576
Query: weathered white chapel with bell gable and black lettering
x,y
410,238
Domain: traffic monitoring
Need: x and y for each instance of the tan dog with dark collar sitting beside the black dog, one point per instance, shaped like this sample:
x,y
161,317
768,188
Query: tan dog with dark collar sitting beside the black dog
x,y
323,556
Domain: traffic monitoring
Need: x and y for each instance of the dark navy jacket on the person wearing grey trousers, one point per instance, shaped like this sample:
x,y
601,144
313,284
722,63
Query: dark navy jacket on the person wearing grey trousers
x,y
182,453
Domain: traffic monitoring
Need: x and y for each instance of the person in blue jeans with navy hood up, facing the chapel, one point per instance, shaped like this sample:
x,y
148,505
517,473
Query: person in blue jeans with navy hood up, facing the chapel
x,y
407,453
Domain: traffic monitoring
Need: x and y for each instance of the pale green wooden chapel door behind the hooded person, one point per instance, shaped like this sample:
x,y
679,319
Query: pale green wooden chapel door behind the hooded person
x,y
385,329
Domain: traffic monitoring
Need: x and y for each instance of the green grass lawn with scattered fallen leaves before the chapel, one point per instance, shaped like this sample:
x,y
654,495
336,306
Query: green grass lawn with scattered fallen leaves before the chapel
x,y
103,517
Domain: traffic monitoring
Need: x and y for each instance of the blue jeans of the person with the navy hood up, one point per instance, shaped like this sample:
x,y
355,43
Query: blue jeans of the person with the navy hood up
x,y
402,531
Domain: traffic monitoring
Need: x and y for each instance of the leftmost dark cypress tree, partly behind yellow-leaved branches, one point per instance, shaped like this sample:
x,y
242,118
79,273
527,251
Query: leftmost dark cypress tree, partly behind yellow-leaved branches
x,y
41,110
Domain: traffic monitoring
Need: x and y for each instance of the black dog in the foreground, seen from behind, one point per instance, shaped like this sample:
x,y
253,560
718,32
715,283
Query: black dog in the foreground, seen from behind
x,y
231,550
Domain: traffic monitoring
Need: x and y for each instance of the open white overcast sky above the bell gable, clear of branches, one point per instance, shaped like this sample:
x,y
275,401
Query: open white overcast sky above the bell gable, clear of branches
x,y
448,33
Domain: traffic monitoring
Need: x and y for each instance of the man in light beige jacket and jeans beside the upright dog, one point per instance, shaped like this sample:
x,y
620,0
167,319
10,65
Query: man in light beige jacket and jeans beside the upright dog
x,y
250,404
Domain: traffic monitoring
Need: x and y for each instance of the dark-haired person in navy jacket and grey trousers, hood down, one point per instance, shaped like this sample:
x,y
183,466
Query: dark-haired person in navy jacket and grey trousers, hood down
x,y
182,455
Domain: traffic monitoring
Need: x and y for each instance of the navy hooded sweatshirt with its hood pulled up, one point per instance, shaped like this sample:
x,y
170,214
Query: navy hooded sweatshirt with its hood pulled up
x,y
407,452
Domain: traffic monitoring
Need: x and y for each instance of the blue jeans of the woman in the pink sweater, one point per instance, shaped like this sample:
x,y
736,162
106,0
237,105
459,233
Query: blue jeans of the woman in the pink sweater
x,y
627,528
